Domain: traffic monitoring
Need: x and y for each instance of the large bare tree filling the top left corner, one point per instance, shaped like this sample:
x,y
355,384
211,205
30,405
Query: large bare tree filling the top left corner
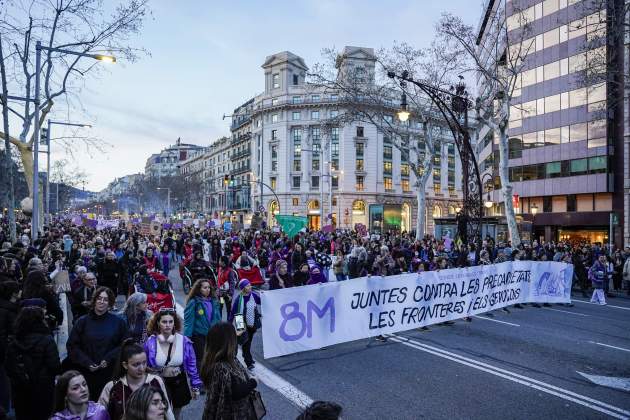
x,y
80,26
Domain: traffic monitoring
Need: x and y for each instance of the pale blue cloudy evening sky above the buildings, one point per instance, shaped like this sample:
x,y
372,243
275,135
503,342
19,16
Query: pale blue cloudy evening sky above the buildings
x,y
205,60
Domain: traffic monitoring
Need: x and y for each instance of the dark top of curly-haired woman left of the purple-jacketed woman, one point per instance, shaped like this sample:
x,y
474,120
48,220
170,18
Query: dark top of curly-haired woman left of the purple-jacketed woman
x,y
95,338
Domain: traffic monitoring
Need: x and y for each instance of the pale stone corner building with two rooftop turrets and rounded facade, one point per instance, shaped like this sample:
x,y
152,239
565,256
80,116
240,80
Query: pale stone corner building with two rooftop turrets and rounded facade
x,y
347,174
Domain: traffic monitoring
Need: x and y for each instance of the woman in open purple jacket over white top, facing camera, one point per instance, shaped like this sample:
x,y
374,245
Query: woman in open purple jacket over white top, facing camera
x,y
172,356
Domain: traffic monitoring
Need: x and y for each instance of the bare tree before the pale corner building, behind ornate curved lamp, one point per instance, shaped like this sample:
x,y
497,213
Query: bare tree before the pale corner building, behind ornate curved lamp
x,y
374,98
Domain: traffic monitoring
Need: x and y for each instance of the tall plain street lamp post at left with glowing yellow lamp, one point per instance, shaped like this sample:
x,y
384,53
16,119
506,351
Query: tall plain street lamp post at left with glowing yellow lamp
x,y
38,64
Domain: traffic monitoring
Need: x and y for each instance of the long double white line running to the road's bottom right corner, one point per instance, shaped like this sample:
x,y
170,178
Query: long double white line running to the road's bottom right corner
x,y
565,394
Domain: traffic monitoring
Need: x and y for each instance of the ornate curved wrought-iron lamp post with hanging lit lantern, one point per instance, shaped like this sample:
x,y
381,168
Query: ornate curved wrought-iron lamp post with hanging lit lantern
x,y
453,106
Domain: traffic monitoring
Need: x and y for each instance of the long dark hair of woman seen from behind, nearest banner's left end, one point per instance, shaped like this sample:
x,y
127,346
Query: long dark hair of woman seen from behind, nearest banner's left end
x,y
221,346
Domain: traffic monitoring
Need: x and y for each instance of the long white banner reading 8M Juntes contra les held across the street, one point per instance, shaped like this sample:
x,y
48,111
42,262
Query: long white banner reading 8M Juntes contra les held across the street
x,y
310,317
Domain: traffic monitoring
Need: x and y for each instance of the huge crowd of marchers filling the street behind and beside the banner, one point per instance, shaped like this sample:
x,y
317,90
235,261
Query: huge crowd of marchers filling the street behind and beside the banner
x,y
125,361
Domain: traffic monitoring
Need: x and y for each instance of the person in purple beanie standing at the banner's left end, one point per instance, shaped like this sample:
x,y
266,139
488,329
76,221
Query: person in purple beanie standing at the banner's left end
x,y
246,304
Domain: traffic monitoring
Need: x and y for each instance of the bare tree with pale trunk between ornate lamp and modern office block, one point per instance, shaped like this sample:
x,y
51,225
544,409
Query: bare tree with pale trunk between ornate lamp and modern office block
x,y
498,66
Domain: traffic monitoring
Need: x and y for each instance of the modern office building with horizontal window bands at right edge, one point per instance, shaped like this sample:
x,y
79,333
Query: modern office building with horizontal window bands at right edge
x,y
567,157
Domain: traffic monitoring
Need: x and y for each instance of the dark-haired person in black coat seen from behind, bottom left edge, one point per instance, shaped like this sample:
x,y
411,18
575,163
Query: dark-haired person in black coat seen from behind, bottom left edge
x,y
32,364
